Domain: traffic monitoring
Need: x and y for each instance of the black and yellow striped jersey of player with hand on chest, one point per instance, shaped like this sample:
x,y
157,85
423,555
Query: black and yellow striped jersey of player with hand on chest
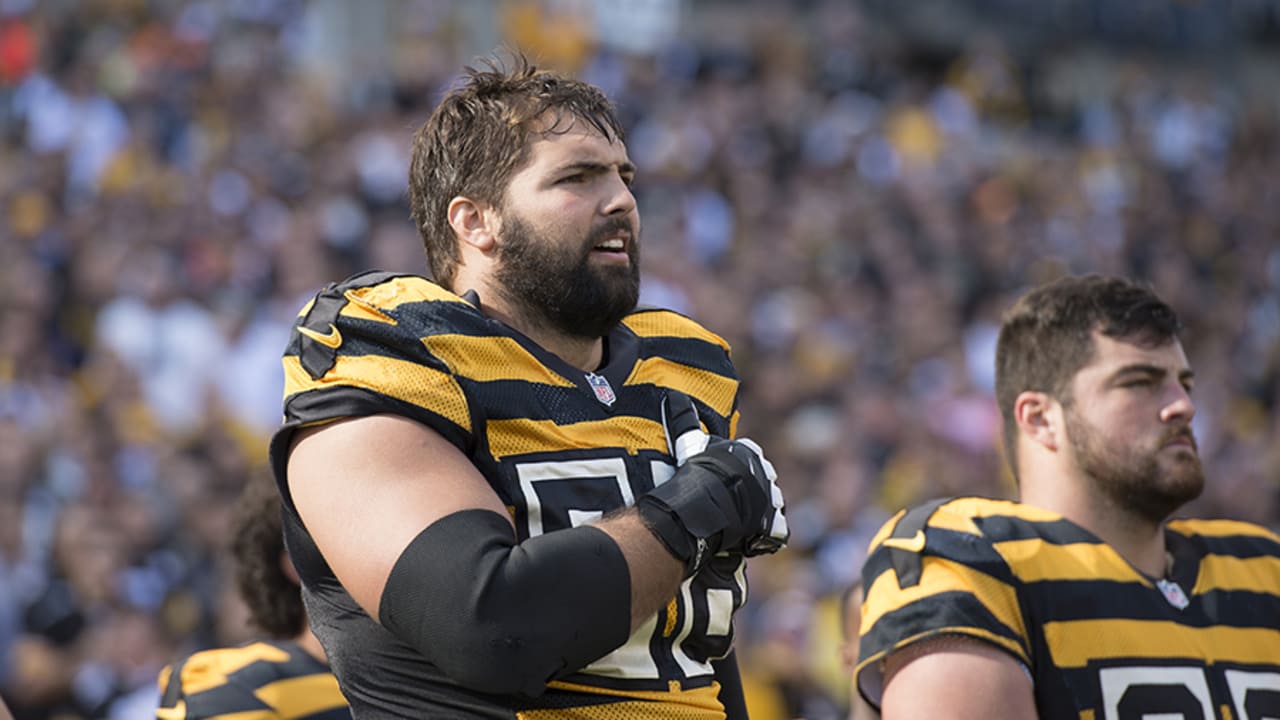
x,y
561,448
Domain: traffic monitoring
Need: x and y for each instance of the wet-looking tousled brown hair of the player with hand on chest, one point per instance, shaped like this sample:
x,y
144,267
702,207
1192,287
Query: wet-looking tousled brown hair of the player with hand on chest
x,y
478,136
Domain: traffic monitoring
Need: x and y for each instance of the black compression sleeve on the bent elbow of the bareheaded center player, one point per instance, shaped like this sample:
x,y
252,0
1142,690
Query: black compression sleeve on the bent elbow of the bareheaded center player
x,y
504,618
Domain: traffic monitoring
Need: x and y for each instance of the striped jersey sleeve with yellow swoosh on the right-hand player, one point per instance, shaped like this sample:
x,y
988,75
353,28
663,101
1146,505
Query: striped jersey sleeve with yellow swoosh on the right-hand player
x,y
931,573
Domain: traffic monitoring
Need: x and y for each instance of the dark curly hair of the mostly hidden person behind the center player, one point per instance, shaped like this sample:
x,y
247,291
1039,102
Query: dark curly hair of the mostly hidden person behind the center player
x,y
258,548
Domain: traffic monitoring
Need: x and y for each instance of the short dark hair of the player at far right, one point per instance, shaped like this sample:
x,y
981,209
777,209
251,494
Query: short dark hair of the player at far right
x,y
1048,336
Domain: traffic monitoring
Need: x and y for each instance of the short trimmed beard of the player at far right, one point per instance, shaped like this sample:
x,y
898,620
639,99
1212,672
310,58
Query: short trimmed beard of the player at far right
x,y
1132,479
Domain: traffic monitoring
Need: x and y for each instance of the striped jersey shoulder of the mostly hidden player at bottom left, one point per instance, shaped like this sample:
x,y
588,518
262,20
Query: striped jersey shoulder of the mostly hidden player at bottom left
x,y
260,681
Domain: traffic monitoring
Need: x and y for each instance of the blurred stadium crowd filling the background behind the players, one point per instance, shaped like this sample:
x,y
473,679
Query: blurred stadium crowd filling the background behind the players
x,y
849,199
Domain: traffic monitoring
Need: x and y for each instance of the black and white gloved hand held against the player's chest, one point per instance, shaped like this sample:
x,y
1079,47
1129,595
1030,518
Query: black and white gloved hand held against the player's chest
x,y
723,498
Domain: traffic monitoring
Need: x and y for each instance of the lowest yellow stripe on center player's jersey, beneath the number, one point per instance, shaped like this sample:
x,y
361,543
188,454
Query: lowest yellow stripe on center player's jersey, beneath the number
x,y
700,704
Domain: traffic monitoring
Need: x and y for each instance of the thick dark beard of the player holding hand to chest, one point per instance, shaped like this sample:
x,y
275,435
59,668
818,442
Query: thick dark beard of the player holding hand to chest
x,y
557,288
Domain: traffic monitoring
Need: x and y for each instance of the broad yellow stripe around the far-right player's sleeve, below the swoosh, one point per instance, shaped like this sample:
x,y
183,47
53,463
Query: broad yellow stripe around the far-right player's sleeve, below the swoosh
x,y
940,576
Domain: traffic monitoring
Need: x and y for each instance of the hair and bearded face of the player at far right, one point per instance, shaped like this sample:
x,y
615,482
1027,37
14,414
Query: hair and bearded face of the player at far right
x,y
1117,343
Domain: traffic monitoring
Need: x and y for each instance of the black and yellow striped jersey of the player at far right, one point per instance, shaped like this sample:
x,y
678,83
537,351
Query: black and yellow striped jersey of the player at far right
x,y
1100,640
